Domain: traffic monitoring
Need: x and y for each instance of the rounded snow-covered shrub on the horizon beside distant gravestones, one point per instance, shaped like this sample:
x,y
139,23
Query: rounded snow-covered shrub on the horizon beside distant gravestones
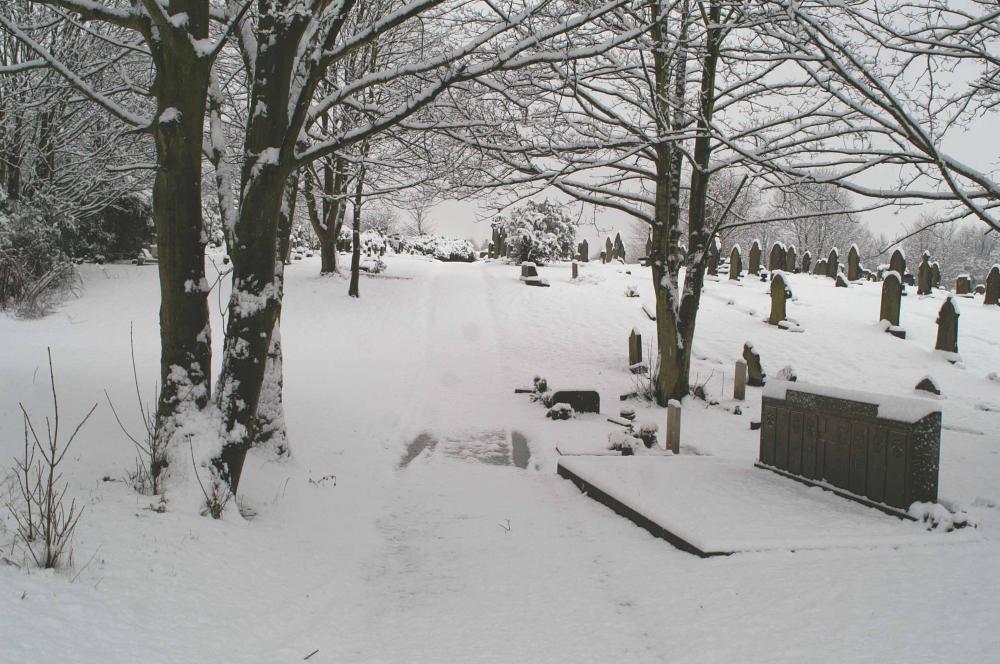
x,y
539,232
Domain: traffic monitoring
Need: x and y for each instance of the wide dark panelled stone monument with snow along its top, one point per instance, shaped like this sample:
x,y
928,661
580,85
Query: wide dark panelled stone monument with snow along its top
x,y
875,448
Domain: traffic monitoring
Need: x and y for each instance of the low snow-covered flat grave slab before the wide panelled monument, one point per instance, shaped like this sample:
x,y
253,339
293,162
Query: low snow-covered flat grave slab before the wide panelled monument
x,y
710,506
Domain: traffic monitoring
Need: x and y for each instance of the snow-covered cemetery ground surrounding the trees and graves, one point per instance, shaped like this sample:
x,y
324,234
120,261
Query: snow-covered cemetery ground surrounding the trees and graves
x,y
402,531
